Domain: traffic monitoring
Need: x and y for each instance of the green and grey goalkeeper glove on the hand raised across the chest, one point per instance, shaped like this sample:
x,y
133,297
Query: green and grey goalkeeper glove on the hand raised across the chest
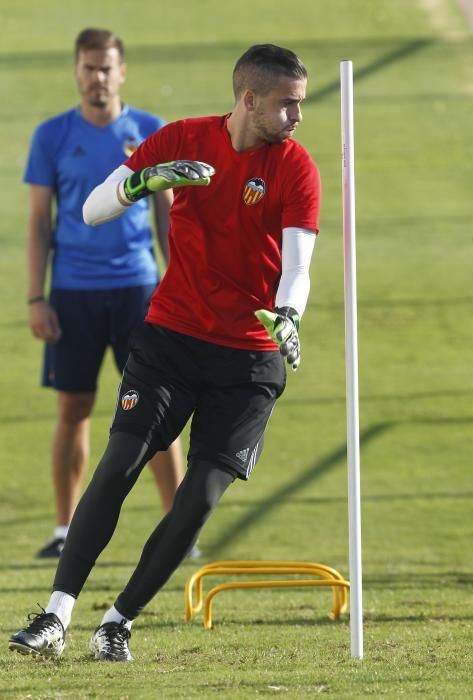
x,y
177,173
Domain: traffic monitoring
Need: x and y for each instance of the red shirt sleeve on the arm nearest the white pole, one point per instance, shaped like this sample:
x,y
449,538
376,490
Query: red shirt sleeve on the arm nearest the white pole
x,y
301,191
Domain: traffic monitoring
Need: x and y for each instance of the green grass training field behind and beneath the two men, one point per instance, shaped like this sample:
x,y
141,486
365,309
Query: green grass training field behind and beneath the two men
x,y
413,63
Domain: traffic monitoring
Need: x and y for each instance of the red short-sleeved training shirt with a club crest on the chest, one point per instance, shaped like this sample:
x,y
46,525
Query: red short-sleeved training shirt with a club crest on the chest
x,y
225,239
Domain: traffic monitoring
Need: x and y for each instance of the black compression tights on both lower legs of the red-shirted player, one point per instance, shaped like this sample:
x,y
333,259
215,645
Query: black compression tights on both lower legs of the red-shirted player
x,y
96,517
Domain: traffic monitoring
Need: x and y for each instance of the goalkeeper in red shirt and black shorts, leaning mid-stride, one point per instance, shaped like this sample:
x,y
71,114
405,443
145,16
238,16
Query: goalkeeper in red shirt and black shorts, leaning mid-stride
x,y
218,331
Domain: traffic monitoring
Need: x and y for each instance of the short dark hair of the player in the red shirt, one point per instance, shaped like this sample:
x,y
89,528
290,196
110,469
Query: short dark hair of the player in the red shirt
x,y
261,64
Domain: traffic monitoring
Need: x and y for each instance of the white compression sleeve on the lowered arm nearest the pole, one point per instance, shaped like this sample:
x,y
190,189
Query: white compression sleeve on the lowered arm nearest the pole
x,y
294,285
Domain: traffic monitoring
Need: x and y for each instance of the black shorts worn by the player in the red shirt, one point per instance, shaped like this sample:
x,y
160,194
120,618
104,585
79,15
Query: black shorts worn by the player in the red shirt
x,y
230,394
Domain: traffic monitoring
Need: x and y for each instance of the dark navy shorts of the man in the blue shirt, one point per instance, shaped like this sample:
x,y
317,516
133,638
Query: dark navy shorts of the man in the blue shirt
x,y
91,320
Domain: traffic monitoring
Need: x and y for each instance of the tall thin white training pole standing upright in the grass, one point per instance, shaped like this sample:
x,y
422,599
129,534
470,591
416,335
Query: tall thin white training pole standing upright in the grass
x,y
351,358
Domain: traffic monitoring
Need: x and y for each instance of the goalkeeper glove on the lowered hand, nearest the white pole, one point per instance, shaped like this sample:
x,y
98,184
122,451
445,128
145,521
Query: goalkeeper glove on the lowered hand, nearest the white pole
x,y
282,325
